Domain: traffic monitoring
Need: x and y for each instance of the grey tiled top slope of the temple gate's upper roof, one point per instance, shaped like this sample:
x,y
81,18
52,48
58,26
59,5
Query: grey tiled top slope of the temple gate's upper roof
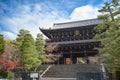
x,y
77,23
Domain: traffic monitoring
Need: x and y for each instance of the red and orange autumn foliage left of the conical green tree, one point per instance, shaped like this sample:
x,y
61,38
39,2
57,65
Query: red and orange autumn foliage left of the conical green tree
x,y
8,60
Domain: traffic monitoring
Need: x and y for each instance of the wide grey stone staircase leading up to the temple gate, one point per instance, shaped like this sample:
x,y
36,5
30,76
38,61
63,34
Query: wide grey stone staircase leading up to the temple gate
x,y
70,71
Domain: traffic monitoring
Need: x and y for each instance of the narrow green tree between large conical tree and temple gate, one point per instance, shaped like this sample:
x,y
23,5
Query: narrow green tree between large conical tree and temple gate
x,y
40,47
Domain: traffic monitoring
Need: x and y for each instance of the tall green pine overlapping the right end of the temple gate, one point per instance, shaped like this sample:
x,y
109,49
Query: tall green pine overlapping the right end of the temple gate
x,y
109,33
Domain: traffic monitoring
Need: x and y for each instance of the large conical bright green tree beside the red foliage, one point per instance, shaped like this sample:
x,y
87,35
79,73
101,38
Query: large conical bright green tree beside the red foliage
x,y
29,56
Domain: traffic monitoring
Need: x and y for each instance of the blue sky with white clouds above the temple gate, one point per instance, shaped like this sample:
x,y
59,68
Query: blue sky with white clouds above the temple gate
x,y
32,14
